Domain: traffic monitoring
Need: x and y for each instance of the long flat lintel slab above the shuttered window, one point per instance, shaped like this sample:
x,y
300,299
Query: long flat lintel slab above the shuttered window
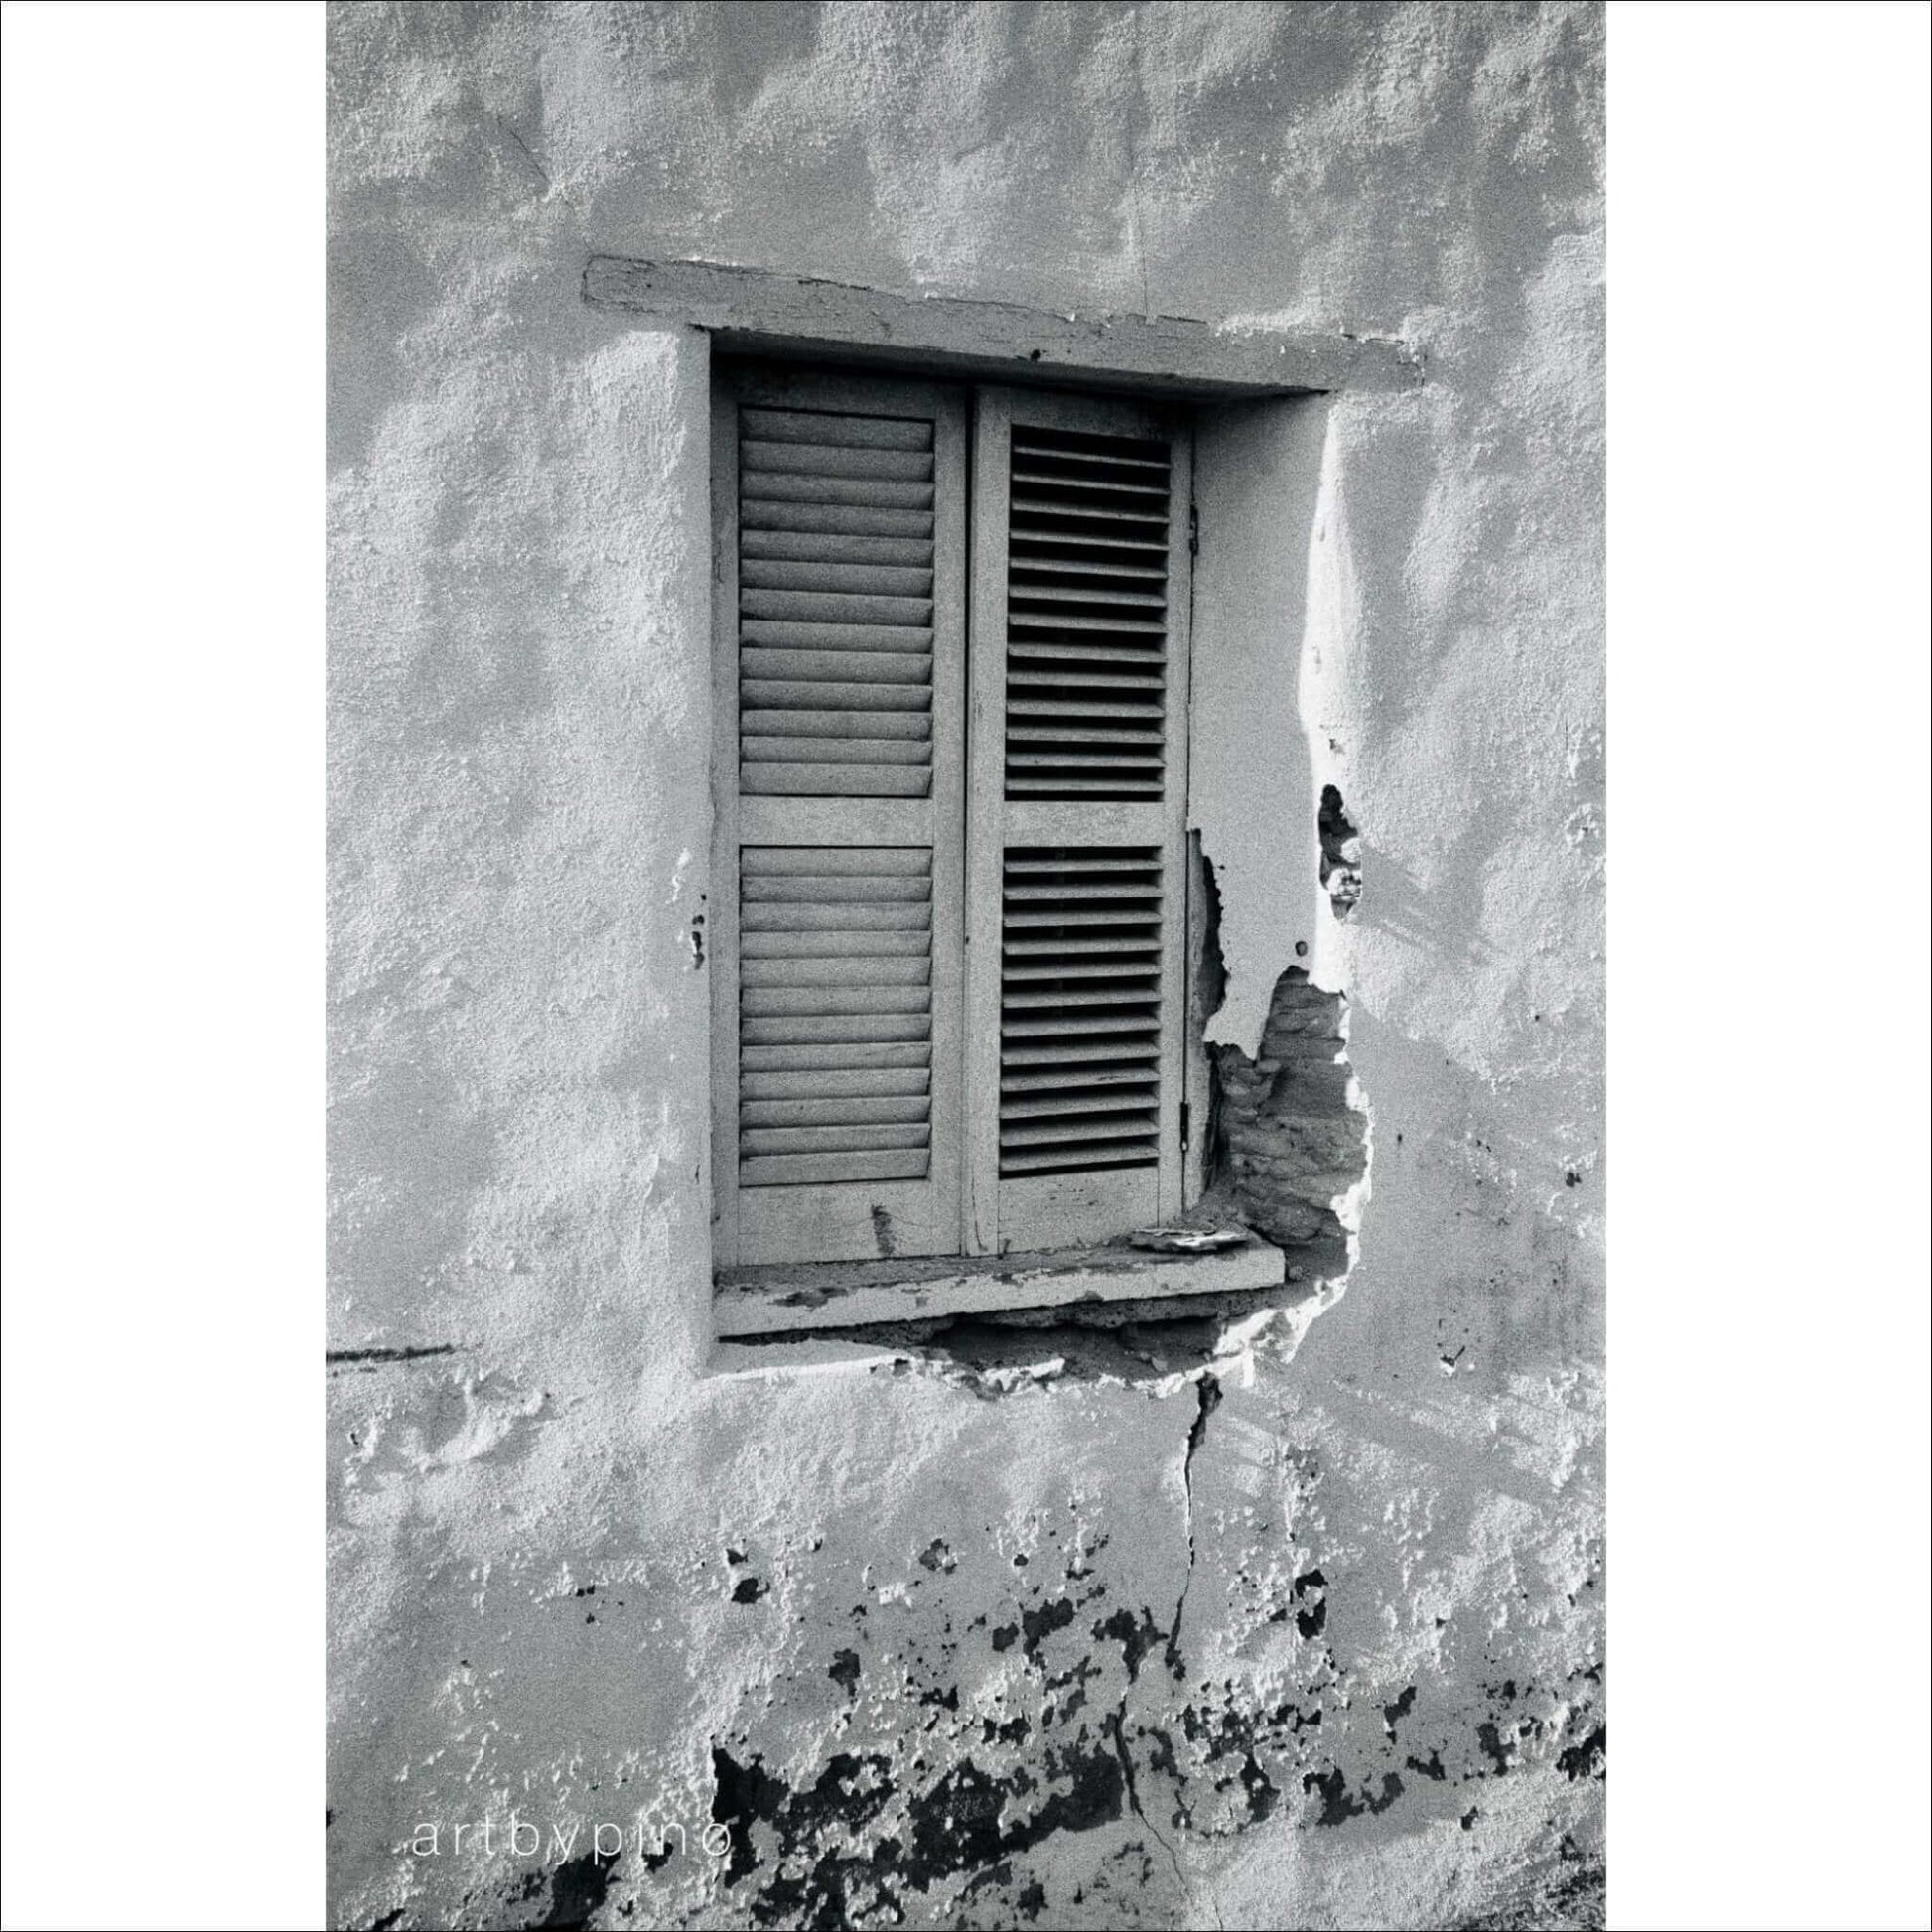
x,y
758,312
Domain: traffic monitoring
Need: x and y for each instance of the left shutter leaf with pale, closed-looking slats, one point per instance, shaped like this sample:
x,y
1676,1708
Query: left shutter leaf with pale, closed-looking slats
x,y
839,698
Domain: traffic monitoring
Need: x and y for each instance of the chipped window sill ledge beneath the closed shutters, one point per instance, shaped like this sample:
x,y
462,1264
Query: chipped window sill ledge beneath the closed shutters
x,y
776,1301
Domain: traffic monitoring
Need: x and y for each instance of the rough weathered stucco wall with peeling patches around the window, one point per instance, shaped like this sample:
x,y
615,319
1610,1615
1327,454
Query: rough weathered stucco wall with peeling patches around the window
x,y
1315,1639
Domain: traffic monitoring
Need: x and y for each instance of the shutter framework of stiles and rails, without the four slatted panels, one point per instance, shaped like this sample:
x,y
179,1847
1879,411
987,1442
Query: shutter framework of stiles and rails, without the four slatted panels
x,y
969,824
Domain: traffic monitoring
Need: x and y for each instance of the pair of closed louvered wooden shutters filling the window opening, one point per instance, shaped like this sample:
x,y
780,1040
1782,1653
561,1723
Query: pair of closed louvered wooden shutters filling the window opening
x,y
952,878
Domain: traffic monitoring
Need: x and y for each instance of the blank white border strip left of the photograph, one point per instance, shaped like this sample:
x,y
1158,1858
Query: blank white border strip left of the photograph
x,y
163,950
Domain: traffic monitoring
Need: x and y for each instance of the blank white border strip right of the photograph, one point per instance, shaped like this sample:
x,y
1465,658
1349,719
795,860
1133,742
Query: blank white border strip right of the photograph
x,y
1769,942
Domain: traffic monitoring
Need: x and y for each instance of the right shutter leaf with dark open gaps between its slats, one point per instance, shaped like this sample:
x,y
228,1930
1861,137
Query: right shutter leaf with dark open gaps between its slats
x,y
1077,820
